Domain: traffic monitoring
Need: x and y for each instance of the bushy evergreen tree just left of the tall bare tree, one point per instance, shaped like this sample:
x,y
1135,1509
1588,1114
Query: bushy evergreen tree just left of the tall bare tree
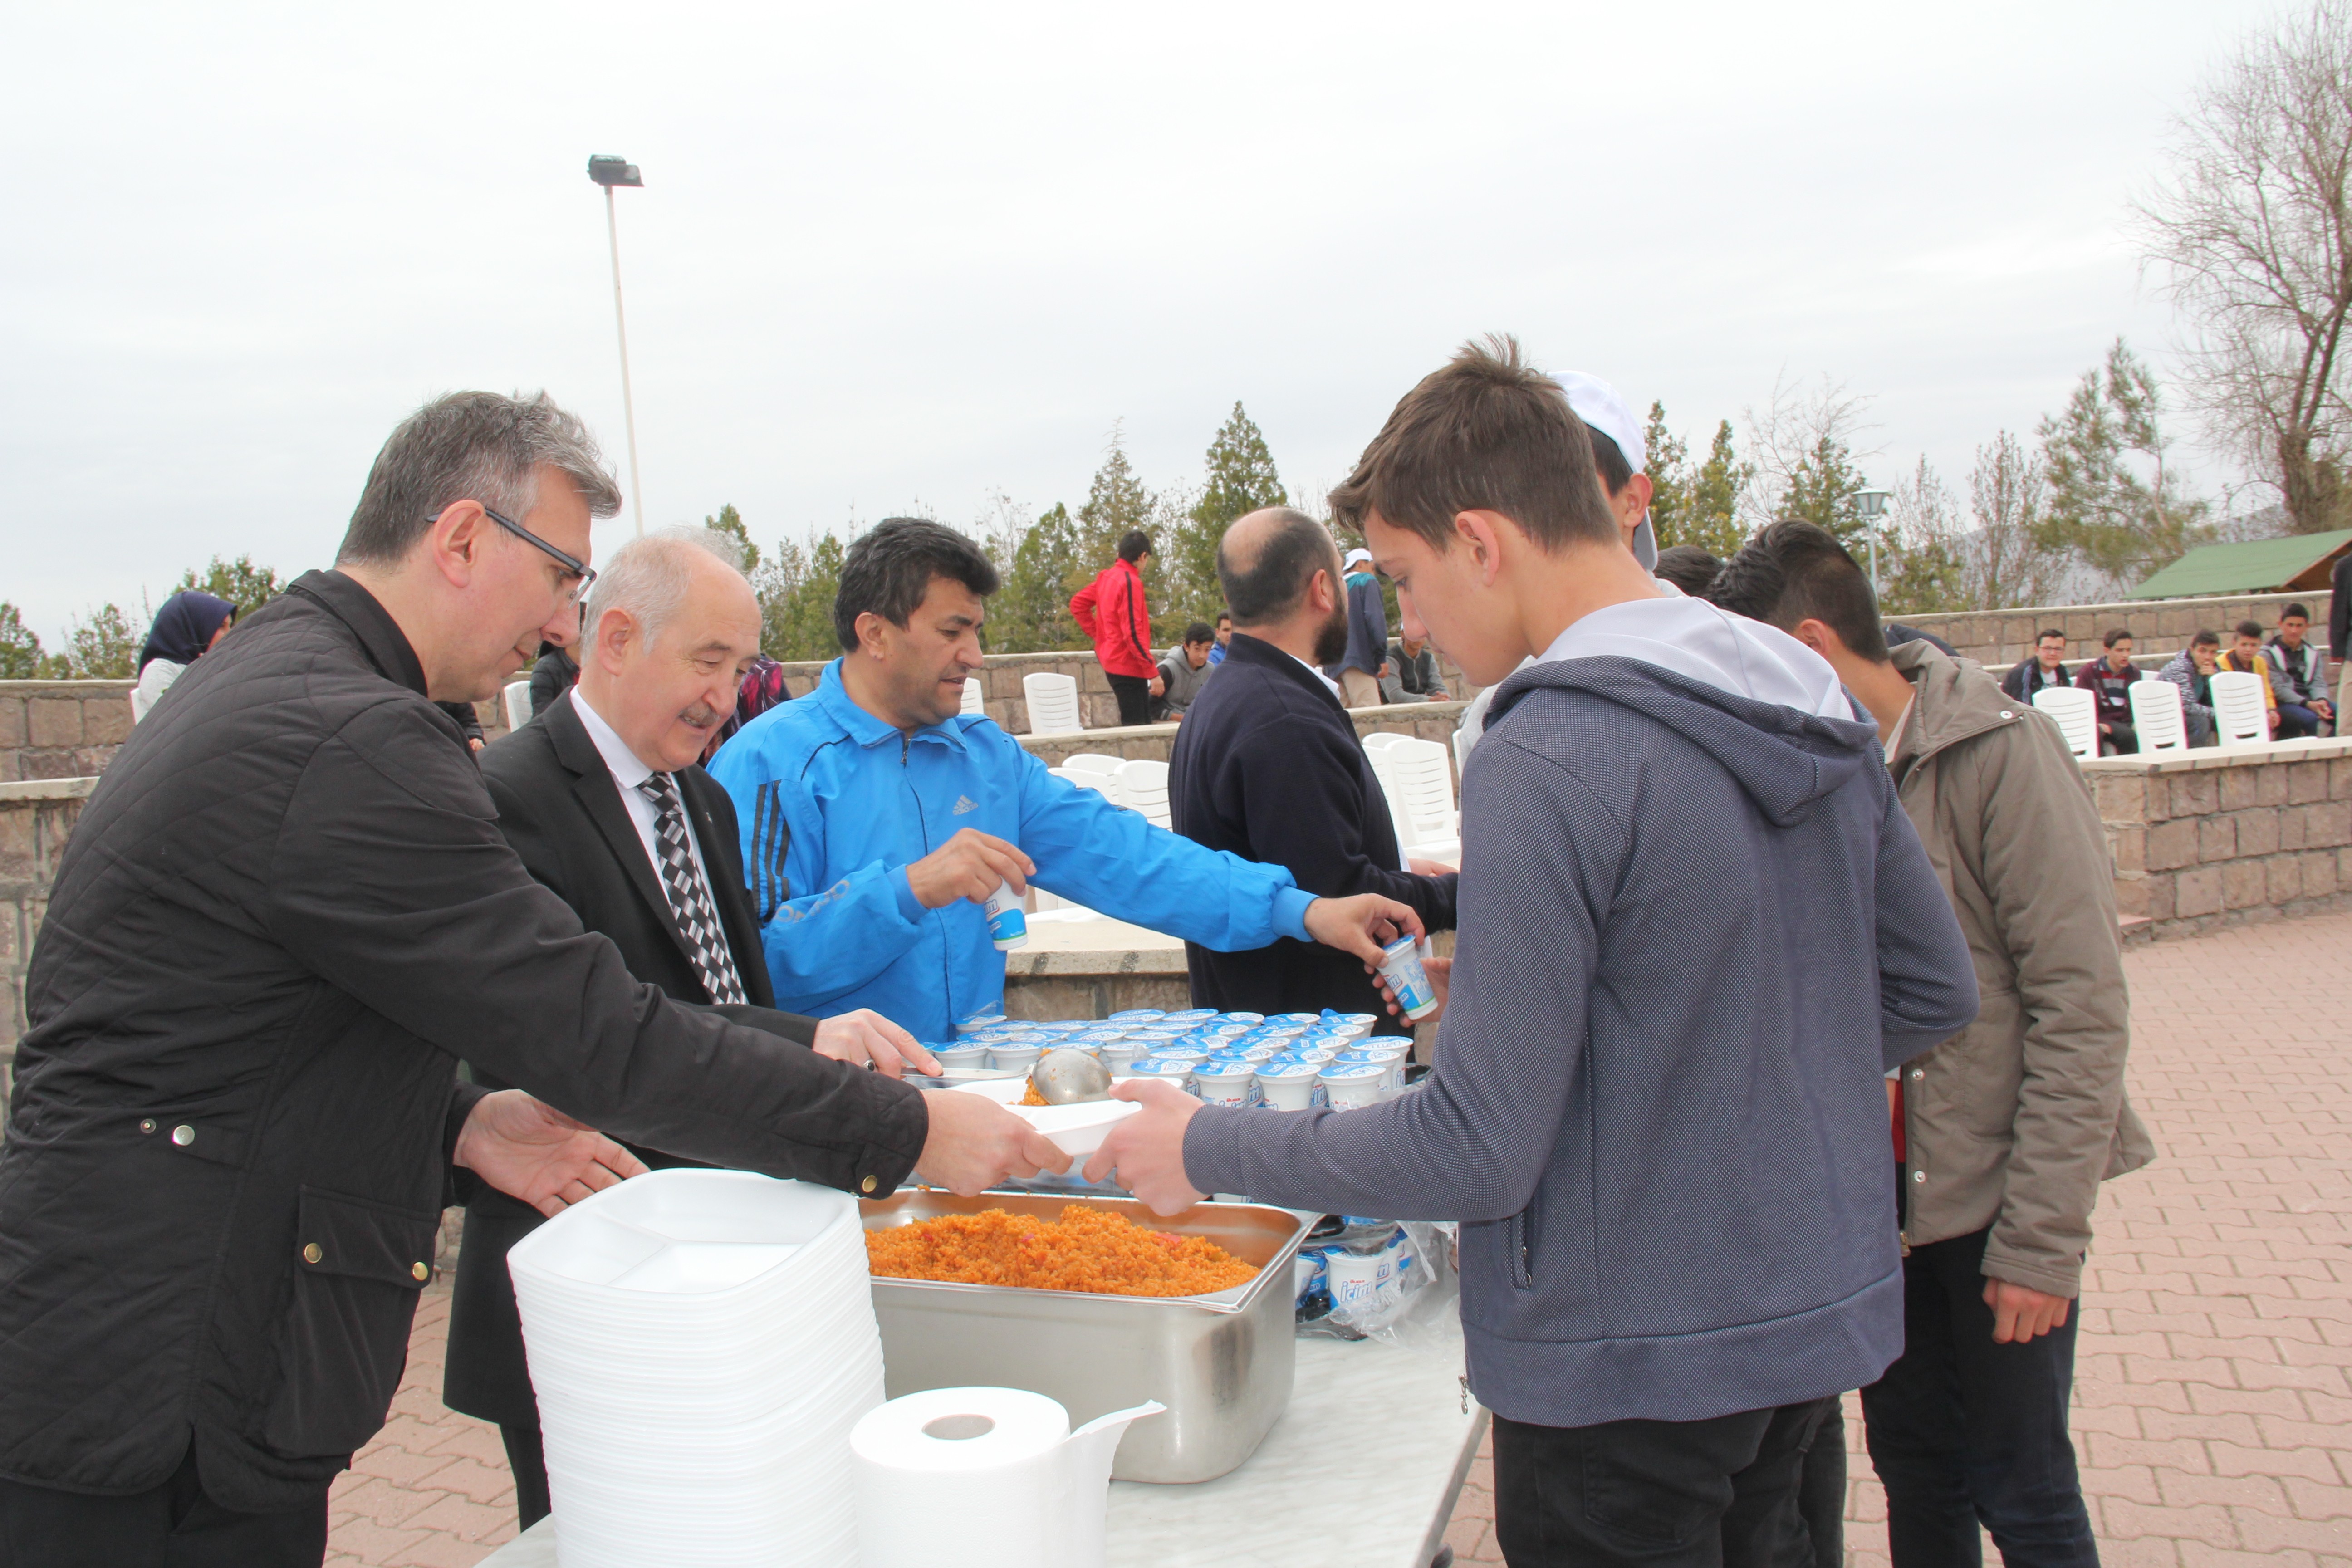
x,y
2113,518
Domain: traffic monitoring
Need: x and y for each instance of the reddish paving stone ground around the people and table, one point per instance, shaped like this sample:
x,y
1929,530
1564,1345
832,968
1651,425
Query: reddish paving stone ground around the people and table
x,y
2214,1383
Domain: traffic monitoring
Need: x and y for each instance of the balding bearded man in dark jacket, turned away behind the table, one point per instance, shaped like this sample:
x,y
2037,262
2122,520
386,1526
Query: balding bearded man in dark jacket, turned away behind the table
x,y
1269,768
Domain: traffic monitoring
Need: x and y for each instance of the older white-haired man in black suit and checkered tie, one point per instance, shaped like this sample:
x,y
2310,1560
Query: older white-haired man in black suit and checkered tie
x,y
606,805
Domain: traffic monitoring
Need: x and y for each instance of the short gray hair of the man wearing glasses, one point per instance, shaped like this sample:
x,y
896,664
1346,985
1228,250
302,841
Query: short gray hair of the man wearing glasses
x,y
472,448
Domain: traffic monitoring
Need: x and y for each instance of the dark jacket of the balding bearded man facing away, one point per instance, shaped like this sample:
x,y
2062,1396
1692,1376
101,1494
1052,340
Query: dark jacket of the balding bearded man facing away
x,y
1269,768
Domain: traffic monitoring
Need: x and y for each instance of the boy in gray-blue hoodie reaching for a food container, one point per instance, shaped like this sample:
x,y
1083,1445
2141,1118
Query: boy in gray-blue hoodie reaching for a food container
x,y
1695,934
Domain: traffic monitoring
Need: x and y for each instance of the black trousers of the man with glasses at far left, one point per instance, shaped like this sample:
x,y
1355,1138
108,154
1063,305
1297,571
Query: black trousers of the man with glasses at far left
x,y
166,1527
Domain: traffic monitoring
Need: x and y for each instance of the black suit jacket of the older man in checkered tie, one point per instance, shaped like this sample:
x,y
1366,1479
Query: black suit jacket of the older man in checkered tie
x,y
561,810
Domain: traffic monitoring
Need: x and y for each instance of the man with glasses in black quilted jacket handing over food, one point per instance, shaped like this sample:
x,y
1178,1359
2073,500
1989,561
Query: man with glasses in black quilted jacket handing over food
x,y
283,916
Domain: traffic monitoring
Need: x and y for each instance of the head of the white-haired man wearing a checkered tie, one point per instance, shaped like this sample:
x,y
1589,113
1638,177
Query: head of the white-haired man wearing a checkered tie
x,y
671,631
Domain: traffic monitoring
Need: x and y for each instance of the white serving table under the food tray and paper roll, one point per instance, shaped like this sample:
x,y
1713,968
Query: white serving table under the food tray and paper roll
x,y
1363,1470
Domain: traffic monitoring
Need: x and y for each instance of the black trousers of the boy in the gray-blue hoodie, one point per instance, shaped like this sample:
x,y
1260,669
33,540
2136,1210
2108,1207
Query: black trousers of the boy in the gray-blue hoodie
x,y
1655,1494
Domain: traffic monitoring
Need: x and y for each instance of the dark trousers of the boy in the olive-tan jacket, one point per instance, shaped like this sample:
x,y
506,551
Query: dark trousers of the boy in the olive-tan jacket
x,y
1965,1430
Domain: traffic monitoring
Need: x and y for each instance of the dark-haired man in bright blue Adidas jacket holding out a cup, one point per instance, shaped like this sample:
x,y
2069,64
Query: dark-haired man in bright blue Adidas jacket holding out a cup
x,y
878,817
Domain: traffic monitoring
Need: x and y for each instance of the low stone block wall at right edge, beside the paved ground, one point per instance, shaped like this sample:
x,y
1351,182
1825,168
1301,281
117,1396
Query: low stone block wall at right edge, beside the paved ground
x,y
2221,838
